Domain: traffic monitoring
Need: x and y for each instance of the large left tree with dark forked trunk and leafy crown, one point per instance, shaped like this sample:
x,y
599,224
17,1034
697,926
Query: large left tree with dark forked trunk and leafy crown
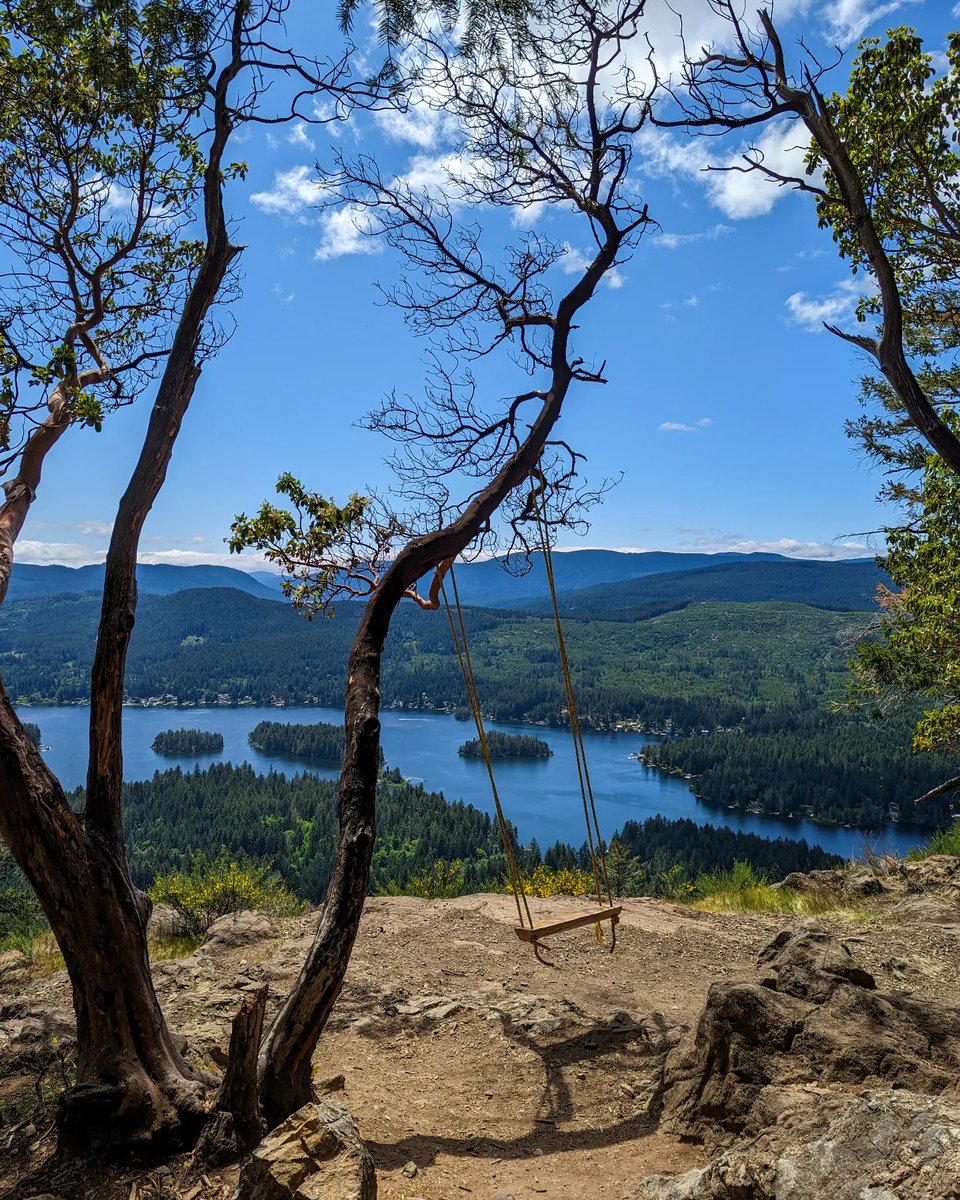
x,y
125,117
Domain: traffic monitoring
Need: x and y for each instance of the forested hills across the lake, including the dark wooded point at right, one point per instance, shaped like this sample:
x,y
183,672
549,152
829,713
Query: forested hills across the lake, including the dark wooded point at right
x,y
761,670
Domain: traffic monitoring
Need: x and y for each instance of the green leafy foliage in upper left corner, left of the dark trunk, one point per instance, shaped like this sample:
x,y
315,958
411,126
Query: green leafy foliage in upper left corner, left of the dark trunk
x,y
99,172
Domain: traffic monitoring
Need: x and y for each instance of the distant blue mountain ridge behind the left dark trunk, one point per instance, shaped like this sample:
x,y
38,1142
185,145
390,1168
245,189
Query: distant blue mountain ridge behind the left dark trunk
x,y
161,579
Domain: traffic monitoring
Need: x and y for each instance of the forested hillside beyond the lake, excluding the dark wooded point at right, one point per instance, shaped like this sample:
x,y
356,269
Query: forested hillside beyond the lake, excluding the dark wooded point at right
x,y
698,668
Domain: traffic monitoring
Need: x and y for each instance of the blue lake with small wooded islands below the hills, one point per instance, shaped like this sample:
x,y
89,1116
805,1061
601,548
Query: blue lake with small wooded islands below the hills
x,y
542,797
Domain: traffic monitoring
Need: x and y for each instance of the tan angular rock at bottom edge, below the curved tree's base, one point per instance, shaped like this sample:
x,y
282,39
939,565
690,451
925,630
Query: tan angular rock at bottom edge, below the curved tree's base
x,y
316,1155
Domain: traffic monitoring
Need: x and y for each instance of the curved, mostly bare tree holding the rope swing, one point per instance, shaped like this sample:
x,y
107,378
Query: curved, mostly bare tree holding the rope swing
x,y
553,125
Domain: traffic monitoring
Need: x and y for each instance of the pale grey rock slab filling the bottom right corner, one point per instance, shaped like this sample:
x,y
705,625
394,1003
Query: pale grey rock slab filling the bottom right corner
x,y
890,1145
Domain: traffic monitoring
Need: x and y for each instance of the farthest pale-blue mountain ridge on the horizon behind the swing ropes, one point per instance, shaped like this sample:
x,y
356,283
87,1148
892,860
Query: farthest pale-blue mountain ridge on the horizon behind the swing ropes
x,y
491,584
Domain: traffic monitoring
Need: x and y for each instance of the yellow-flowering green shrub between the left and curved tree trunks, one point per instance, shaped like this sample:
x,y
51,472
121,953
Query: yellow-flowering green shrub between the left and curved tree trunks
x,y
212,889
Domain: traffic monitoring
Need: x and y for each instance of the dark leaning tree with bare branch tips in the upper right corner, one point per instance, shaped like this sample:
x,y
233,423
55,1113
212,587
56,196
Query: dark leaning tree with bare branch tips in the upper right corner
x,y
904,239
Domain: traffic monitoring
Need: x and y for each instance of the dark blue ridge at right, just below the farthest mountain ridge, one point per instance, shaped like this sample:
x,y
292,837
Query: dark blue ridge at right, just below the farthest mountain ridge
x,y
841,587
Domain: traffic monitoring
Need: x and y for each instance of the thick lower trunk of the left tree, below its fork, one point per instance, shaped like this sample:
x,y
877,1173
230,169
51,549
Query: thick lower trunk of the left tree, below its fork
x,y
134,1088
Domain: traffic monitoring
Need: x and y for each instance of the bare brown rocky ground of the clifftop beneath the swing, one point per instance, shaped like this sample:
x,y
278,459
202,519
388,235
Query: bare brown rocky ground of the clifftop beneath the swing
x,y
710,1058
